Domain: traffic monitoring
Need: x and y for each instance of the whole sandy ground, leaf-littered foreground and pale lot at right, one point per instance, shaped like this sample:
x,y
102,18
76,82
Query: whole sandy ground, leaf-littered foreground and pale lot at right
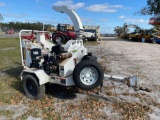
x,y
117,101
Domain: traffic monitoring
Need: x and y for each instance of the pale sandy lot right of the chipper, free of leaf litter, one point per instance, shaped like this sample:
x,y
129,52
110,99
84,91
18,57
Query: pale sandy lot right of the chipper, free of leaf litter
x,y
126,58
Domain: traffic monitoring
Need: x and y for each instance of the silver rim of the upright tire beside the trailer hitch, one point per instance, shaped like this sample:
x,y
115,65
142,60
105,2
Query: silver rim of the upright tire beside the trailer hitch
x,y
89,75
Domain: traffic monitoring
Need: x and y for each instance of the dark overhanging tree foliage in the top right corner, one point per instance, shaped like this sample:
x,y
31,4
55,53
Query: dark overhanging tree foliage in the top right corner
x,y
152,8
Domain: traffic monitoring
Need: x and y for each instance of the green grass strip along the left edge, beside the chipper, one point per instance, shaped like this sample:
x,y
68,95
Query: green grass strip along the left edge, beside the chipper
x,y
9,58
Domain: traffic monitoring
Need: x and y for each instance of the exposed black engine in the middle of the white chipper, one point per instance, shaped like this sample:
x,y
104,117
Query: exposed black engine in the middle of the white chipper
x,y
49,62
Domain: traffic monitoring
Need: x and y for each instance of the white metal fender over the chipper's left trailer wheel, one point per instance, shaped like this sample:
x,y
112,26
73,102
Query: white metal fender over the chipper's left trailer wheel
x,y
41,75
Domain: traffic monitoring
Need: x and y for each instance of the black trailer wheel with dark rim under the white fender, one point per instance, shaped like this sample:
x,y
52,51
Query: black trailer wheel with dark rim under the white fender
x,y
32,89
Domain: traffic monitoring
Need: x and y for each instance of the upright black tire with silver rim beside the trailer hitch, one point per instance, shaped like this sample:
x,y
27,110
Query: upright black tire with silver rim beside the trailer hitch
x,y
88,80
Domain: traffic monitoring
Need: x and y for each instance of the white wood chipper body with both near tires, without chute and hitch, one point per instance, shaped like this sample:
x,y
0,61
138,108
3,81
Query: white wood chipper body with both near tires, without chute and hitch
x,y
45,62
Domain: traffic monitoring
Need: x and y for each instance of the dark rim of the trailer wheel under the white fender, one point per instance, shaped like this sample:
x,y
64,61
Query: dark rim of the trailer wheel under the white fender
x,y
31,87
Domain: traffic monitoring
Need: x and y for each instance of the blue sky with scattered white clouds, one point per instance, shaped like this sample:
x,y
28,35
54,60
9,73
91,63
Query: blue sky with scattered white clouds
x,y
105,13
